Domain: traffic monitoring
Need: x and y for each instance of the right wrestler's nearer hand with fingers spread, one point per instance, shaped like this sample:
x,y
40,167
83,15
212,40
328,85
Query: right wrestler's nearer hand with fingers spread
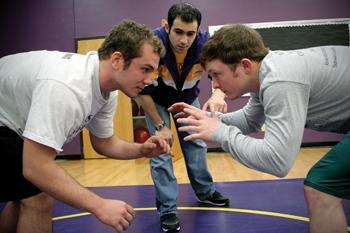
x,y
198,122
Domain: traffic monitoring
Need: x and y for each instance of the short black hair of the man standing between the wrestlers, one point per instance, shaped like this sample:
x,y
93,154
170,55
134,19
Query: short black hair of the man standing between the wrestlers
x,y
186,12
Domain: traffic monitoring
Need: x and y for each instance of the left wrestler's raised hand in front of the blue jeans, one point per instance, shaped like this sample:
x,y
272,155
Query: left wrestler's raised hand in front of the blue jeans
x,y
155,146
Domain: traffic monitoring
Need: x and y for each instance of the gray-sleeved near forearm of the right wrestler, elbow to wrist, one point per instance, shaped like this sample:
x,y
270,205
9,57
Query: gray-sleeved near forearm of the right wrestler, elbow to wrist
x,y
267,155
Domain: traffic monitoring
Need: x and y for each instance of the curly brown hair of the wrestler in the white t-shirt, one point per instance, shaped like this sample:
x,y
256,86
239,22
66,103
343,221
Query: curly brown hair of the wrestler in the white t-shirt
x,y
128,38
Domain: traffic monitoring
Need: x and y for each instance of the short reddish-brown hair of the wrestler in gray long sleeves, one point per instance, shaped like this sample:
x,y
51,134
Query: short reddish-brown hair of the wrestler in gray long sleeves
x,y
233,42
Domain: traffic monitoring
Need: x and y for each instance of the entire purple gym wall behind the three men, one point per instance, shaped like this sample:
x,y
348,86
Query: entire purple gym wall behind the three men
x,y
54,25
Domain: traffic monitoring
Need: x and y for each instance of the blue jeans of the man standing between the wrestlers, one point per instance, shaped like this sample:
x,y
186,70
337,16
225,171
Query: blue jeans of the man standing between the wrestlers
x,y
195,155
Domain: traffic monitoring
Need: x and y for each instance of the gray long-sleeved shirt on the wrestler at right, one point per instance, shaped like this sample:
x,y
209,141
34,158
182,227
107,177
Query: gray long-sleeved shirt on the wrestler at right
x,y
300,88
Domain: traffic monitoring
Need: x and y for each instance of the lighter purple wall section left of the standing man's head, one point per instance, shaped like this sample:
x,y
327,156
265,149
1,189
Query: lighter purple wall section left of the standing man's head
x,y
97,17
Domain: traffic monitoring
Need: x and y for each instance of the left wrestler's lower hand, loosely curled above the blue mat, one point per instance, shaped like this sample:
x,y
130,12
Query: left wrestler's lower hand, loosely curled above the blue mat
x,y
115,213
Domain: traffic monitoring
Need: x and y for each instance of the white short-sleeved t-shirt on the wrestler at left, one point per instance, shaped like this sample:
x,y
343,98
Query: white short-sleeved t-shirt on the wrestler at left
x,y
50,96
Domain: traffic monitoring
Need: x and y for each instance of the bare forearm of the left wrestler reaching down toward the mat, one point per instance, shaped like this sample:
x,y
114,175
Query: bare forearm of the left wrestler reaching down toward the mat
x,y
40,168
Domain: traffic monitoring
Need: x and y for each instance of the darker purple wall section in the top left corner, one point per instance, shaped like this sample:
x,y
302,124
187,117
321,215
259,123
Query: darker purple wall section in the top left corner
x,y
36,25
